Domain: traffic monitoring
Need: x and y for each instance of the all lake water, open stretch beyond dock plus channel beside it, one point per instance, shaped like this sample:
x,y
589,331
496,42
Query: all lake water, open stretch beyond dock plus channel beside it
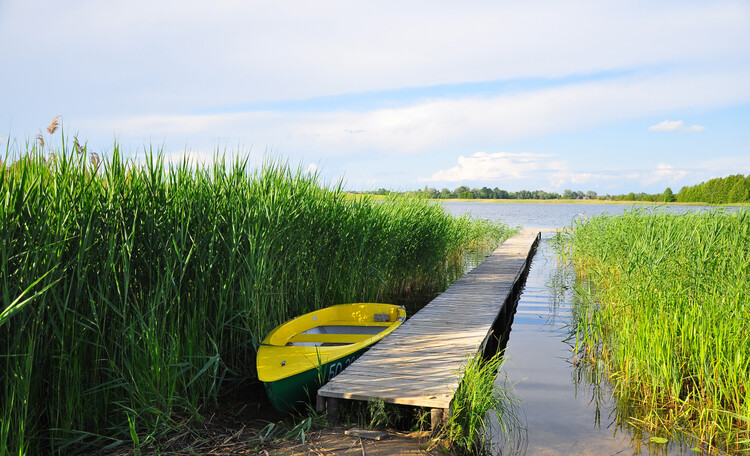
x,y
567,411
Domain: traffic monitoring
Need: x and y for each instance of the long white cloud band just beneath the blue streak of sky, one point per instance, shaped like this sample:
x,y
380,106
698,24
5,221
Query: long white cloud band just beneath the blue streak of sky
x,y
469,122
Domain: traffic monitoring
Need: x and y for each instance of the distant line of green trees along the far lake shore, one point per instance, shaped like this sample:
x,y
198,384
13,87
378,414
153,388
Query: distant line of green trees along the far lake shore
x,y
723,190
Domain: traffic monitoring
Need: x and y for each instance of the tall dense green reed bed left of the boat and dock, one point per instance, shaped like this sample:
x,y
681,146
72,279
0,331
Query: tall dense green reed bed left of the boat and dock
x,y
134,293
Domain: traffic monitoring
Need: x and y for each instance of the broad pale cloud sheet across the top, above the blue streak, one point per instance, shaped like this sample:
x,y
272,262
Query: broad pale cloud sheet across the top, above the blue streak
x,y
235,52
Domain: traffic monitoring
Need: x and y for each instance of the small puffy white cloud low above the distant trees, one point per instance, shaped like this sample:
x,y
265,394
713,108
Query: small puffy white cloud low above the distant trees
x,y
483,166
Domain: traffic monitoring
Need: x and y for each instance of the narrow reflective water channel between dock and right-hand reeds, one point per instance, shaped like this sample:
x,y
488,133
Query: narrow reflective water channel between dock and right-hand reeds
x,y
567,400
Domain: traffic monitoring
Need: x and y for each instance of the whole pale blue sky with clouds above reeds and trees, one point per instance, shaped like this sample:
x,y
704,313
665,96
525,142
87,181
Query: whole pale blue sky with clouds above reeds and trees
x,y
606,96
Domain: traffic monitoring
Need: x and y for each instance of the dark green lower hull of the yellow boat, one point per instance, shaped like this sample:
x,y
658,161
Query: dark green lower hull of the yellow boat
x,y
294,392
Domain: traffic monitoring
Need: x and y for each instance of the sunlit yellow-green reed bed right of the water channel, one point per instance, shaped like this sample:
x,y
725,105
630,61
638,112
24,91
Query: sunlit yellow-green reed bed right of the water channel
x,y
665,304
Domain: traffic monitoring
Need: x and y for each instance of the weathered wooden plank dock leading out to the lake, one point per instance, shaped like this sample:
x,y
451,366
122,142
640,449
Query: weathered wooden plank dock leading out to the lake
x,y
418,364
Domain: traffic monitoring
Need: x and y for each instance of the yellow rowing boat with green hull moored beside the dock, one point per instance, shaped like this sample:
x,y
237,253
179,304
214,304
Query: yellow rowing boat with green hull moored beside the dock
x,y
299,356
